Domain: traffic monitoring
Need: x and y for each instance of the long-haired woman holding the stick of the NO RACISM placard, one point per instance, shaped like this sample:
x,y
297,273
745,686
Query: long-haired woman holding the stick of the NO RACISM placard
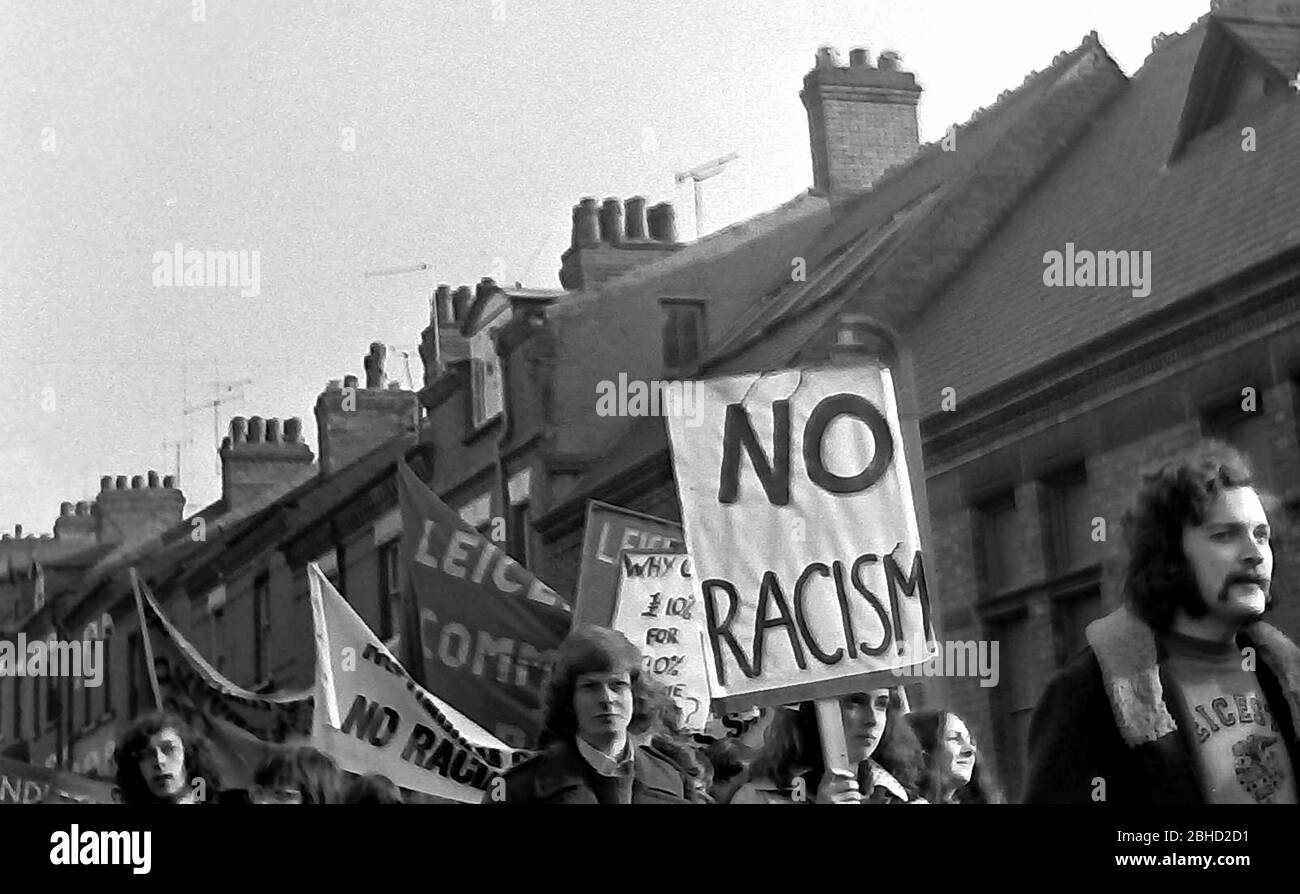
x,y
791,767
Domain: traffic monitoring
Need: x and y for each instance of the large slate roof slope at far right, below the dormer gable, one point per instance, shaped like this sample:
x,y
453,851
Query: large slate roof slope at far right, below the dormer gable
x,y
1212,214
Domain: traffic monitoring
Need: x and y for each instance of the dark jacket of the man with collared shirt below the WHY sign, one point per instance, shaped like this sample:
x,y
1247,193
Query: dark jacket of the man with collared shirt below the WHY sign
x,y
561,776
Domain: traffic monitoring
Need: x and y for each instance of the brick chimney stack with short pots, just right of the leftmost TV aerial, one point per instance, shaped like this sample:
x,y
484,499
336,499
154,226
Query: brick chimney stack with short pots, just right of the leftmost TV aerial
x,y
261,461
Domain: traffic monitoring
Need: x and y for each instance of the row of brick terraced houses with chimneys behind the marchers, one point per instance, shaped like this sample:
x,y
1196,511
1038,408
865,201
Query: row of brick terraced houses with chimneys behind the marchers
x,y
1029,407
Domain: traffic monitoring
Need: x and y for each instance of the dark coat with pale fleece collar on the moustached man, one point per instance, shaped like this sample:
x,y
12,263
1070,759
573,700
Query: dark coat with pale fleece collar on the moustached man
x,y
1115,715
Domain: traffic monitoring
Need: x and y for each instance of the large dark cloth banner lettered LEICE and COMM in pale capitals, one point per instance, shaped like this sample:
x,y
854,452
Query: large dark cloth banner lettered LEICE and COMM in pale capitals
x,y
487,626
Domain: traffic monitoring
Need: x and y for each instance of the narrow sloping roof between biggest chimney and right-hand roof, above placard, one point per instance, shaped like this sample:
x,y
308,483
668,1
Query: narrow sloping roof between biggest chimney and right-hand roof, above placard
x,y
907,236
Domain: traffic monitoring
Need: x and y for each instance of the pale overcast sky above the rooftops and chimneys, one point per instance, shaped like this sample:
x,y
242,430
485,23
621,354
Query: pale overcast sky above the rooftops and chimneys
x,y
479,124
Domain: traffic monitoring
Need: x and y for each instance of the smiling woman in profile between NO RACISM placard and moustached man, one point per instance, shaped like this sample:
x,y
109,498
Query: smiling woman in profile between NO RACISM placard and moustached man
x,y
952,773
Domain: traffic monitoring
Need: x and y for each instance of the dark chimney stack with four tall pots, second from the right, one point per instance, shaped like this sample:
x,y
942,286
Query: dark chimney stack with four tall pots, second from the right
x,y
613,238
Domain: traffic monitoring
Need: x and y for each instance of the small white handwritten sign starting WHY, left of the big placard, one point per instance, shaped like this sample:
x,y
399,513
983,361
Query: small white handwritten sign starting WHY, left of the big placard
x,y
657,609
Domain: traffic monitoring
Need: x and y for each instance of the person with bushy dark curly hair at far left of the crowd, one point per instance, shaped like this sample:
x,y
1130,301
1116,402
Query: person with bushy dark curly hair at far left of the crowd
x,y
161,761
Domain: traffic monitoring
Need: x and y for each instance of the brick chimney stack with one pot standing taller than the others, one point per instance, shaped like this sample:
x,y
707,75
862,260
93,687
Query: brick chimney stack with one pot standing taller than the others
x,y
354,420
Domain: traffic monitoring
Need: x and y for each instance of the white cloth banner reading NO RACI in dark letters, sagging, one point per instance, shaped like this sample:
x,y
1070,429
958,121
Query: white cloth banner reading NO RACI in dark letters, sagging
x,y
372,718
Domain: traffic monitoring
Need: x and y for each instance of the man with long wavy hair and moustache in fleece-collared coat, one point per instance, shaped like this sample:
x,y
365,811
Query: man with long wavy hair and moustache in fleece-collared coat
x,y
1184,696
